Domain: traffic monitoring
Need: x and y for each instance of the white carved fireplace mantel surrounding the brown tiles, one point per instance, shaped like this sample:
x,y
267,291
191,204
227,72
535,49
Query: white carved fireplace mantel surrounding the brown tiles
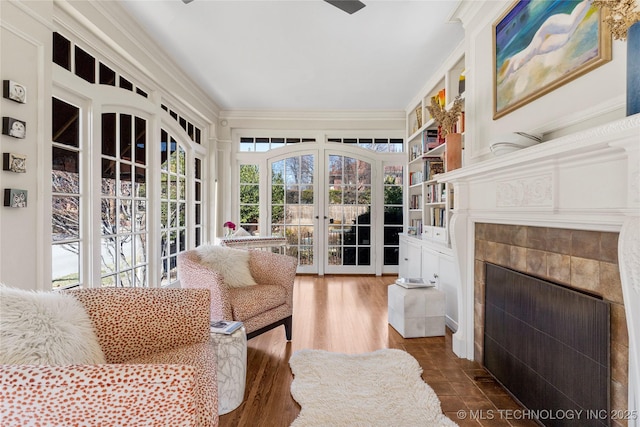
x,y
589,180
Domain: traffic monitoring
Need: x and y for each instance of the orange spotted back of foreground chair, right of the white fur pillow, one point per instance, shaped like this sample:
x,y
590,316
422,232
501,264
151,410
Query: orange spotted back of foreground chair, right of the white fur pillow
x,y
136,322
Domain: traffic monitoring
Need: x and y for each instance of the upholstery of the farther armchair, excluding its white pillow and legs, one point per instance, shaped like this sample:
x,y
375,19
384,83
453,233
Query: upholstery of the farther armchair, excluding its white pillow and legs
x,y
257,306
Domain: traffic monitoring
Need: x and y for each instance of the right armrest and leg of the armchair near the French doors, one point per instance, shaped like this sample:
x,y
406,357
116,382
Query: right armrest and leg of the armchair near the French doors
x,y
269,268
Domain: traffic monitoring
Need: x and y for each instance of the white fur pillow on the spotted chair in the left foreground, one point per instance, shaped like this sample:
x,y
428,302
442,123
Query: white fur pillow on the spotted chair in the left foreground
x,y
45,328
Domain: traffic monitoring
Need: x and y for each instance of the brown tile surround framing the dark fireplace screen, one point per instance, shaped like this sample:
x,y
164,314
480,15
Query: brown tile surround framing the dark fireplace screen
x,y
582,260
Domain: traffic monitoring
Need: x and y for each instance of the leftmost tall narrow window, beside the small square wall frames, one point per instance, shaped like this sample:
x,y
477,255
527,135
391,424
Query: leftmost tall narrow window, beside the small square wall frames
x,y
66,206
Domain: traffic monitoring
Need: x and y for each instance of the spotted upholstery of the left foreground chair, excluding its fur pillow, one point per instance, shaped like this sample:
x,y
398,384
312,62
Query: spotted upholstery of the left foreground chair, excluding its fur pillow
x,y
162,369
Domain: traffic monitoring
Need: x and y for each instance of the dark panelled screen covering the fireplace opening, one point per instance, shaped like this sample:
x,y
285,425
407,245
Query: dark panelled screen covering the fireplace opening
x,y
548,345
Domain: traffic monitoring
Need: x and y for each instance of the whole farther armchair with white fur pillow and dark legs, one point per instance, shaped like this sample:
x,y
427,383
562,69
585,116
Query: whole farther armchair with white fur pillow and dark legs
x,y
261,305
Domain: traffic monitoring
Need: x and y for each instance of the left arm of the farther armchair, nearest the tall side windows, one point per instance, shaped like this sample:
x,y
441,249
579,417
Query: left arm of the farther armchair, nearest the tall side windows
x,y
193,274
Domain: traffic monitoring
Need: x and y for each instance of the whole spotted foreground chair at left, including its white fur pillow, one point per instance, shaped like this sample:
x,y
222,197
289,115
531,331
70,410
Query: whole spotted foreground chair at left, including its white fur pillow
x,y
156,364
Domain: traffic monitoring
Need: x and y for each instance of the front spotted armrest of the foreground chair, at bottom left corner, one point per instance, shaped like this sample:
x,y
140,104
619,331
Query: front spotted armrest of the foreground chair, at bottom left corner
x,y
123,395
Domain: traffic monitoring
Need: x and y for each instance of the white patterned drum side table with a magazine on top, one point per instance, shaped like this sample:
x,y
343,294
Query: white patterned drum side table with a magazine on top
x,y
231,351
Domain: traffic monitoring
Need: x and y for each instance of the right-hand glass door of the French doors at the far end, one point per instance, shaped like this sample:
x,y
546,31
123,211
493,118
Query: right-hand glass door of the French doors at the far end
x,y
349,246
